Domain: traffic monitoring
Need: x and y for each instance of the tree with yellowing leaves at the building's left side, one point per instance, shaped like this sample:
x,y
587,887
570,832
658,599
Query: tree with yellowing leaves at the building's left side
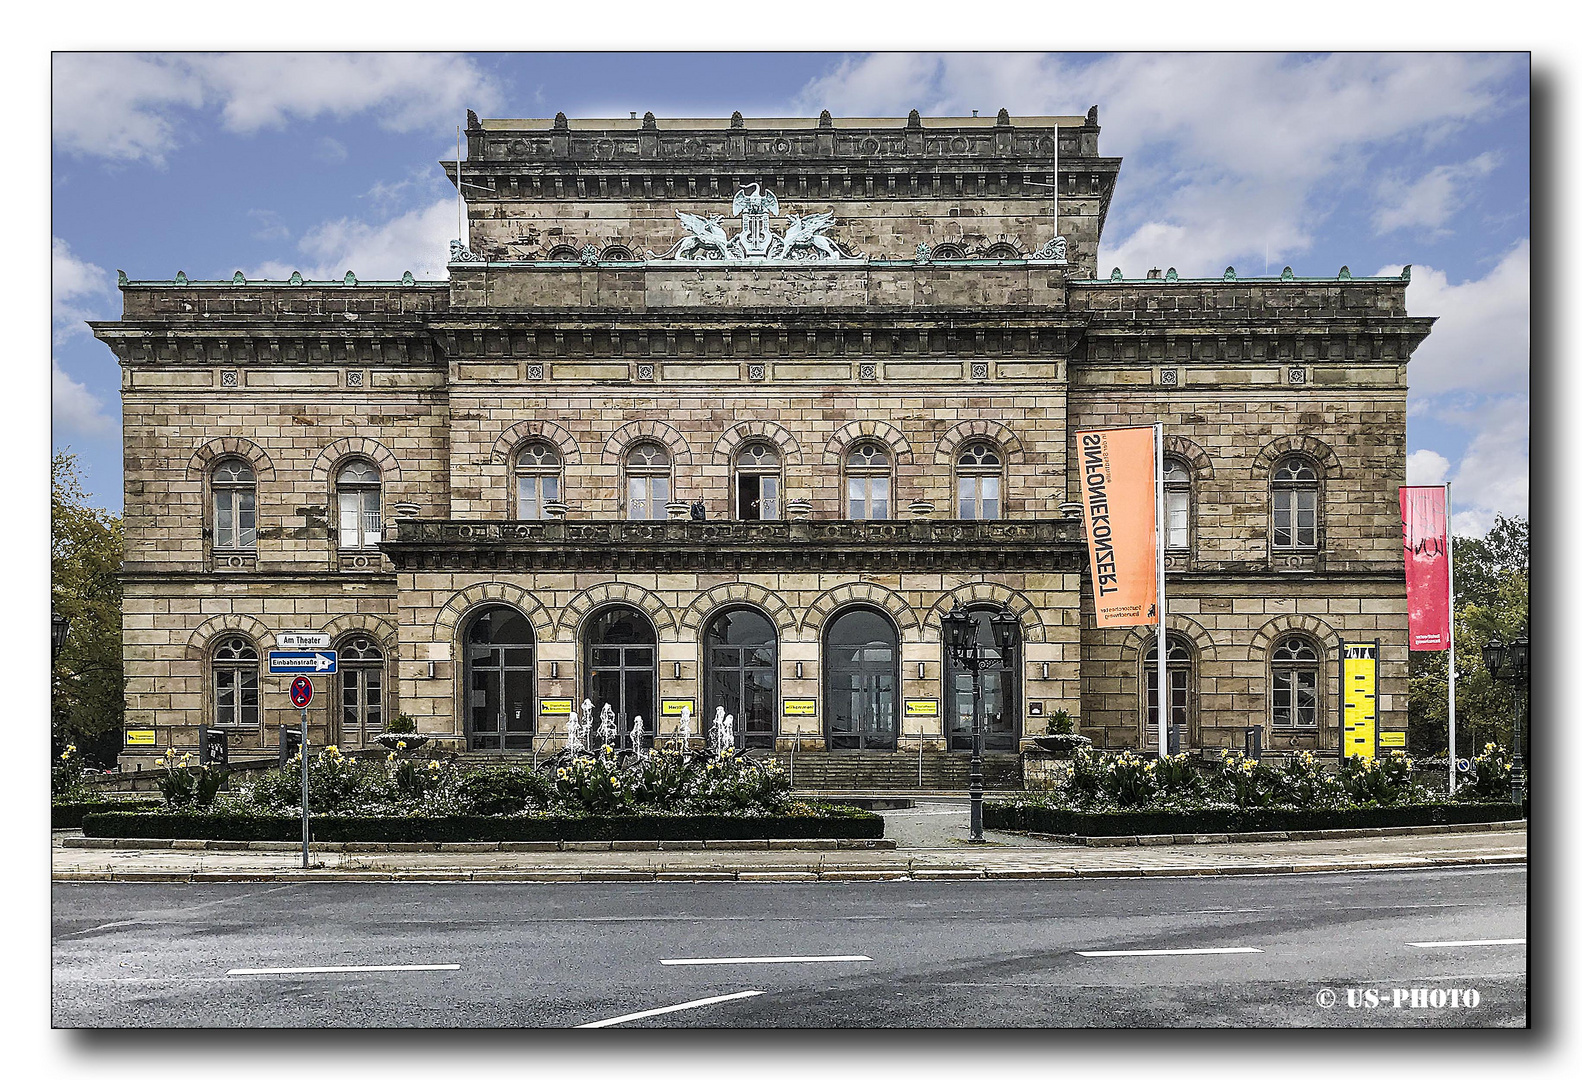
x,y
86,549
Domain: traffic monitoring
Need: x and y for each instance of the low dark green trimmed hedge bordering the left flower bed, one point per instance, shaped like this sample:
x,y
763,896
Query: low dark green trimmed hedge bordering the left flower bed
x,y
835,823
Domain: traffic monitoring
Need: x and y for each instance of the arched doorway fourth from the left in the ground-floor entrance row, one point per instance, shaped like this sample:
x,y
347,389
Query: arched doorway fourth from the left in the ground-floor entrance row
x,y
861,681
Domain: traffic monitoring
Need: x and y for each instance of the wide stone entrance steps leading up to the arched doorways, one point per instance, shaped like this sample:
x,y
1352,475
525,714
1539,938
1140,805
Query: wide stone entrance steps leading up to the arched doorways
x,y
865,771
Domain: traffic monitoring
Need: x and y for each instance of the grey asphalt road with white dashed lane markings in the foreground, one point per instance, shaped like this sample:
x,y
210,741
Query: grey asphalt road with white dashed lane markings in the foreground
x,y
939,954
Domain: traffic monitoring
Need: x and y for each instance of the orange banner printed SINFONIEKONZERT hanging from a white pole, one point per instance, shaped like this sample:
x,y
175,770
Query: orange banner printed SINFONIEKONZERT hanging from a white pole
x,y
1118,507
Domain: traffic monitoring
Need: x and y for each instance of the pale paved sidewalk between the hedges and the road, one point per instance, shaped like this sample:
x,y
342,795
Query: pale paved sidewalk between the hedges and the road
x,y
931,845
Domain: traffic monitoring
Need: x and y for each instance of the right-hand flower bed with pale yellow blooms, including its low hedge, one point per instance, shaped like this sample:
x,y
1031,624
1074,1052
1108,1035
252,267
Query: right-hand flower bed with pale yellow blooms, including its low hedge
x,y
1126,795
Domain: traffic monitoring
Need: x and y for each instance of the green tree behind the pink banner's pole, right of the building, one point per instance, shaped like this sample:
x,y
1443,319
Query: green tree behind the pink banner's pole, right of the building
x,y
1491,602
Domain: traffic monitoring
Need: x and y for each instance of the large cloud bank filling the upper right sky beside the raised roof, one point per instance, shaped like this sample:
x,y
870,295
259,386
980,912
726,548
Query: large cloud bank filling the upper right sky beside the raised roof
x,y
1239,146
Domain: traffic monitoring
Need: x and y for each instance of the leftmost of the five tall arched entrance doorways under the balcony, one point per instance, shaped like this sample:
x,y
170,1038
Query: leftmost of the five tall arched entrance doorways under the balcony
x,y
499,681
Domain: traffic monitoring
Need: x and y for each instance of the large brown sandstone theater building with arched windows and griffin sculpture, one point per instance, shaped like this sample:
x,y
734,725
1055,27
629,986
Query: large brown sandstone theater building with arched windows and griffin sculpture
x,y
727,413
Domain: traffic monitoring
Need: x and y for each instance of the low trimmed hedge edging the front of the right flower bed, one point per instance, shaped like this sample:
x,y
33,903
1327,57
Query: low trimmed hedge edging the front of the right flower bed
x,y
1145,823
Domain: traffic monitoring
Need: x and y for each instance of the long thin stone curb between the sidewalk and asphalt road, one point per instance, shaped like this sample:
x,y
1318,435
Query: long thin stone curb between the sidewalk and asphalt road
x,y
744,875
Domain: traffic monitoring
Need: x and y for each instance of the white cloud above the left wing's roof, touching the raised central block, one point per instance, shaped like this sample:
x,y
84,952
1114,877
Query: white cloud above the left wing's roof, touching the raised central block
x,y
418,241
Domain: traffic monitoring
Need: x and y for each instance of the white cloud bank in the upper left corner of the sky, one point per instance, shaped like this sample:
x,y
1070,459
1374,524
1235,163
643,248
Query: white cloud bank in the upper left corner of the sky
x,y
127,107
